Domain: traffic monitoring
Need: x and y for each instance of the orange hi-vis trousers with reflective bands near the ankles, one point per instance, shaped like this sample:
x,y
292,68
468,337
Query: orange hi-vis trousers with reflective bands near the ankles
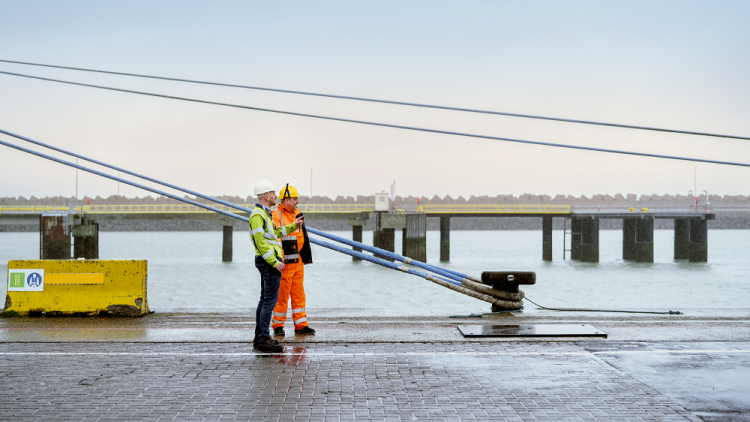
x,y
291,285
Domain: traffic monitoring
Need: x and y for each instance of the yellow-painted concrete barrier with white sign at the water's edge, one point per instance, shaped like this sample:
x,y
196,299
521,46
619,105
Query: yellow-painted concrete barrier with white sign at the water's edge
x,y
77,287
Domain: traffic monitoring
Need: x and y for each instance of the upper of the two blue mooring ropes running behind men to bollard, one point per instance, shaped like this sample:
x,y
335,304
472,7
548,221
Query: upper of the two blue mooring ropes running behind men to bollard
x,y
447,273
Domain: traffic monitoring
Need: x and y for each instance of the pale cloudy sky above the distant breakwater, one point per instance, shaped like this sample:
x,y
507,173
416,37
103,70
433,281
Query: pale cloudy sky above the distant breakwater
x,y
671,64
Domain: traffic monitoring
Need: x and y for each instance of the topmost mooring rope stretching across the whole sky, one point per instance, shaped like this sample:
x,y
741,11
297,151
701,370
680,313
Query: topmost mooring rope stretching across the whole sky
x,y
344,97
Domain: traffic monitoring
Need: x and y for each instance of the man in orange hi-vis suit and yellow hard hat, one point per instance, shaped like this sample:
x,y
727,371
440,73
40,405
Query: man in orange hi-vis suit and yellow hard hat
x,y
297,254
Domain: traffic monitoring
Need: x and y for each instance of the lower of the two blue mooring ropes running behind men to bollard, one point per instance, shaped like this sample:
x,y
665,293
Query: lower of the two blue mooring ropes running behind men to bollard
x,y
438,280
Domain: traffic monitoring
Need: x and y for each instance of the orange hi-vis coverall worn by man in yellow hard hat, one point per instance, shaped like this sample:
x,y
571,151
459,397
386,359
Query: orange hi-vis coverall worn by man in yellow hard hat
x,y
292,278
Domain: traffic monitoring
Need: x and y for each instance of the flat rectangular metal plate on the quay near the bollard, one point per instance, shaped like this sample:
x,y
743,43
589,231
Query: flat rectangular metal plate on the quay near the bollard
x,y
561,330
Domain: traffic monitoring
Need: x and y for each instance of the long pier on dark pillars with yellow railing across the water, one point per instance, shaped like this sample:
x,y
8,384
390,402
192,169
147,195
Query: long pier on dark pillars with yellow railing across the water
x,y
59,225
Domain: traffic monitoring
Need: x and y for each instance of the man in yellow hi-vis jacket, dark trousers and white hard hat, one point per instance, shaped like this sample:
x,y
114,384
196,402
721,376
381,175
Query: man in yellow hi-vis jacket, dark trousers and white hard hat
x,y
269,262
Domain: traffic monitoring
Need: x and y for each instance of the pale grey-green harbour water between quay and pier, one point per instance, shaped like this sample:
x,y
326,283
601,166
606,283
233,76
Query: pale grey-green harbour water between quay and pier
x,y
185,270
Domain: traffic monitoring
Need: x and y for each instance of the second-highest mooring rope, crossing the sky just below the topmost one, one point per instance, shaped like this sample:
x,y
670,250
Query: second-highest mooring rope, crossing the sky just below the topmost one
x,y
442,132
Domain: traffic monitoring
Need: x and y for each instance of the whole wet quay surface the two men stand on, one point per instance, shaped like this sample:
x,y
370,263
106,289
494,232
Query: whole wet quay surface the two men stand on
x,y
377,364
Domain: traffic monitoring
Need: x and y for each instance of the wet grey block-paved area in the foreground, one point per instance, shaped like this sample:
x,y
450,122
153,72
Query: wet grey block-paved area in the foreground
x,y
466,381
